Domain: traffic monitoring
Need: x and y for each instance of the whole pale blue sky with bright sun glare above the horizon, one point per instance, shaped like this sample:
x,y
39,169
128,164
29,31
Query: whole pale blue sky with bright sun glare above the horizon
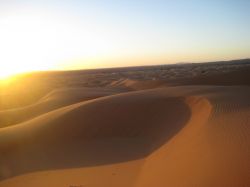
x,y
81,34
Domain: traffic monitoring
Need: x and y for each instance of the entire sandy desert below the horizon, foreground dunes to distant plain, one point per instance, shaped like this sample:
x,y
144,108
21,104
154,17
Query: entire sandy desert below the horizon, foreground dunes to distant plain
x,y
182,125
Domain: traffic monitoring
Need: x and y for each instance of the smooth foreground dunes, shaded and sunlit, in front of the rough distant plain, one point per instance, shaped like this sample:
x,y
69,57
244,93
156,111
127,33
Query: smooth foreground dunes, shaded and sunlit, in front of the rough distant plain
x,y
173,136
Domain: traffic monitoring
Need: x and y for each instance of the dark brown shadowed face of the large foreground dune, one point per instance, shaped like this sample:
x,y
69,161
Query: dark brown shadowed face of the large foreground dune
x,y
103,131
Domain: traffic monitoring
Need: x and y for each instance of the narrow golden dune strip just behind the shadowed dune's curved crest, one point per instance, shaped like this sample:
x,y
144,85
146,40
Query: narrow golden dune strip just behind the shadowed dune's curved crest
x,y
52,101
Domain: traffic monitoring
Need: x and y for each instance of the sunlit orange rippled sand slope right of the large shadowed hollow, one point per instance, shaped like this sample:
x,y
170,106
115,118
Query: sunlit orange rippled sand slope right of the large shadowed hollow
x,y
211,150
